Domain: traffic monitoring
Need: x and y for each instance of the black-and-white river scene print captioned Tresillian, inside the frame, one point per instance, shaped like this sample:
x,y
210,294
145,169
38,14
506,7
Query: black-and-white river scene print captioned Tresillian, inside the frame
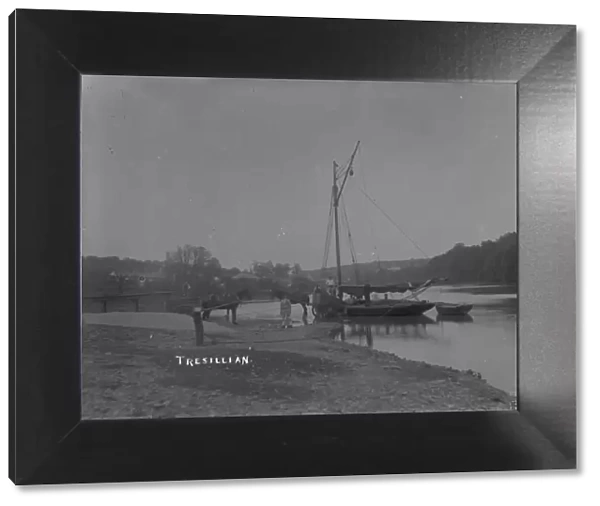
x,y
257,247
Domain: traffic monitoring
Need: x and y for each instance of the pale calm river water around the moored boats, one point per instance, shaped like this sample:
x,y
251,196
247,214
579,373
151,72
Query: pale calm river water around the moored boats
x,y
486,342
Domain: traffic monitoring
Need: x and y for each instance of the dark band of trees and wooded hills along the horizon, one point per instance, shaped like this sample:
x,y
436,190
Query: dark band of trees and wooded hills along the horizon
x,y
194,268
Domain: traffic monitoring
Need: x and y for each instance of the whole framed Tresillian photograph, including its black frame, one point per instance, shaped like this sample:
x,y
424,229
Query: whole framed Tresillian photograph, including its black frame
x,y
250,247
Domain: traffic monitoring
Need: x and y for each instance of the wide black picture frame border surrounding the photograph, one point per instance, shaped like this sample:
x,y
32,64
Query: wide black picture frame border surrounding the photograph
x,y
51,50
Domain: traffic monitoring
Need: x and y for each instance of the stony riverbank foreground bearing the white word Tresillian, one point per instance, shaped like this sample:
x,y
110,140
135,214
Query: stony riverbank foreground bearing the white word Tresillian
x,y
256,368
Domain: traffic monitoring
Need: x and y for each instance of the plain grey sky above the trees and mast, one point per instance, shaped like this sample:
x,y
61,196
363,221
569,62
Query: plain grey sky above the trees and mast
x,y
244,167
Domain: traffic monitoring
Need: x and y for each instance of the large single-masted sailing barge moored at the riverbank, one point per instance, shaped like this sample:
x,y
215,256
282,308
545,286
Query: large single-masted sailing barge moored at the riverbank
x,y
408,305
